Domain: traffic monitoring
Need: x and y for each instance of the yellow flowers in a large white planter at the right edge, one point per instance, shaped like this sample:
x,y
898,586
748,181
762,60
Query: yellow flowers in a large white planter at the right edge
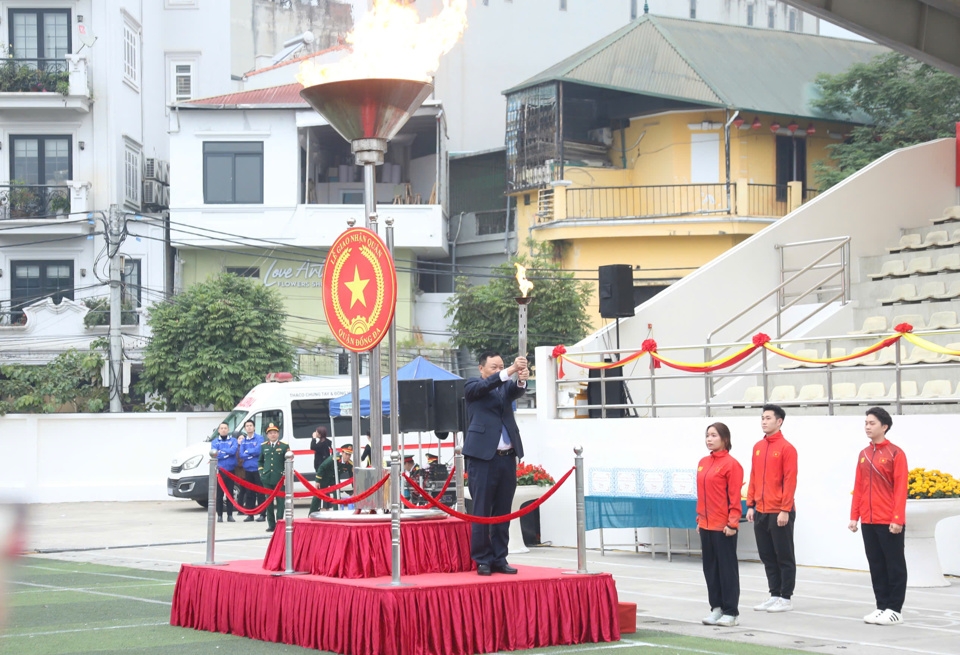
x,y
931,497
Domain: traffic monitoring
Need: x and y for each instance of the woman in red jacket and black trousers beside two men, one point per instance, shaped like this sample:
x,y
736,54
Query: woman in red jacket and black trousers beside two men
x,y
719,481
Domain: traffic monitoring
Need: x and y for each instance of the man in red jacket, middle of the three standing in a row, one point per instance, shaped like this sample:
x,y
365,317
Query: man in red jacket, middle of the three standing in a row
x,y
773,482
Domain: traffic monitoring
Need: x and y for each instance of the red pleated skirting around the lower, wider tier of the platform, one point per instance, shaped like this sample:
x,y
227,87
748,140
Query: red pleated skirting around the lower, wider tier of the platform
x,y
442,614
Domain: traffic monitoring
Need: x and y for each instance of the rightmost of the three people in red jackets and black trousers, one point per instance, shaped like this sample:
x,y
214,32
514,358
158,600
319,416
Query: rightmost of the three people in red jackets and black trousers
x,y
880,503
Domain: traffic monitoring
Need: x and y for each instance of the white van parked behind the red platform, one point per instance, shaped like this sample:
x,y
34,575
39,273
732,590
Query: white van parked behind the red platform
x,y
297,408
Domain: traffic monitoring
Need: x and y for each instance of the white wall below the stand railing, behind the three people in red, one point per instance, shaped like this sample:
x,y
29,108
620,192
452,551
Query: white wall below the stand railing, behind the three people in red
x,y
827,449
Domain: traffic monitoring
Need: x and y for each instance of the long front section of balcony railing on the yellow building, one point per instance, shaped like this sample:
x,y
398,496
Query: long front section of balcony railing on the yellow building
x,y
649,201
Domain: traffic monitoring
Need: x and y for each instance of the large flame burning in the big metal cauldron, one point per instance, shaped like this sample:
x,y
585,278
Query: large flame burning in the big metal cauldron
x,y
390,42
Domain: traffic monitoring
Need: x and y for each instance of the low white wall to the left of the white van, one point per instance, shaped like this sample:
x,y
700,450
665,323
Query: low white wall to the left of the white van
x,y
55,458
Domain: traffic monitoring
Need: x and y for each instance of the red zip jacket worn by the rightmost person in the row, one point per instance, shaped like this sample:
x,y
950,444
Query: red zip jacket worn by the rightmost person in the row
x,y
880,489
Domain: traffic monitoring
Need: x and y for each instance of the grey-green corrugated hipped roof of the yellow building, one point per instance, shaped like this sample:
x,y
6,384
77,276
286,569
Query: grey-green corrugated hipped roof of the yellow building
x,y
745,68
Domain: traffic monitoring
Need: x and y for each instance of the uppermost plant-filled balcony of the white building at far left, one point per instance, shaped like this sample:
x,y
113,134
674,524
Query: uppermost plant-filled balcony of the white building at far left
x,y
45,84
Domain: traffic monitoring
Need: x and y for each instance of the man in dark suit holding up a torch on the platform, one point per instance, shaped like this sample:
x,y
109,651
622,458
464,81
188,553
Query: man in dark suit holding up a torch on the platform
x,y
492,447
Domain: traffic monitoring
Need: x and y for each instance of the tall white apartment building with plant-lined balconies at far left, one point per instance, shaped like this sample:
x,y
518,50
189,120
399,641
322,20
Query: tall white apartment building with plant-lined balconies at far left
x,y
84,93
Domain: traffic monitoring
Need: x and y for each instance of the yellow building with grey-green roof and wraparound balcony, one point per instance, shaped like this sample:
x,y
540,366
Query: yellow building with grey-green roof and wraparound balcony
x,y
670,141
